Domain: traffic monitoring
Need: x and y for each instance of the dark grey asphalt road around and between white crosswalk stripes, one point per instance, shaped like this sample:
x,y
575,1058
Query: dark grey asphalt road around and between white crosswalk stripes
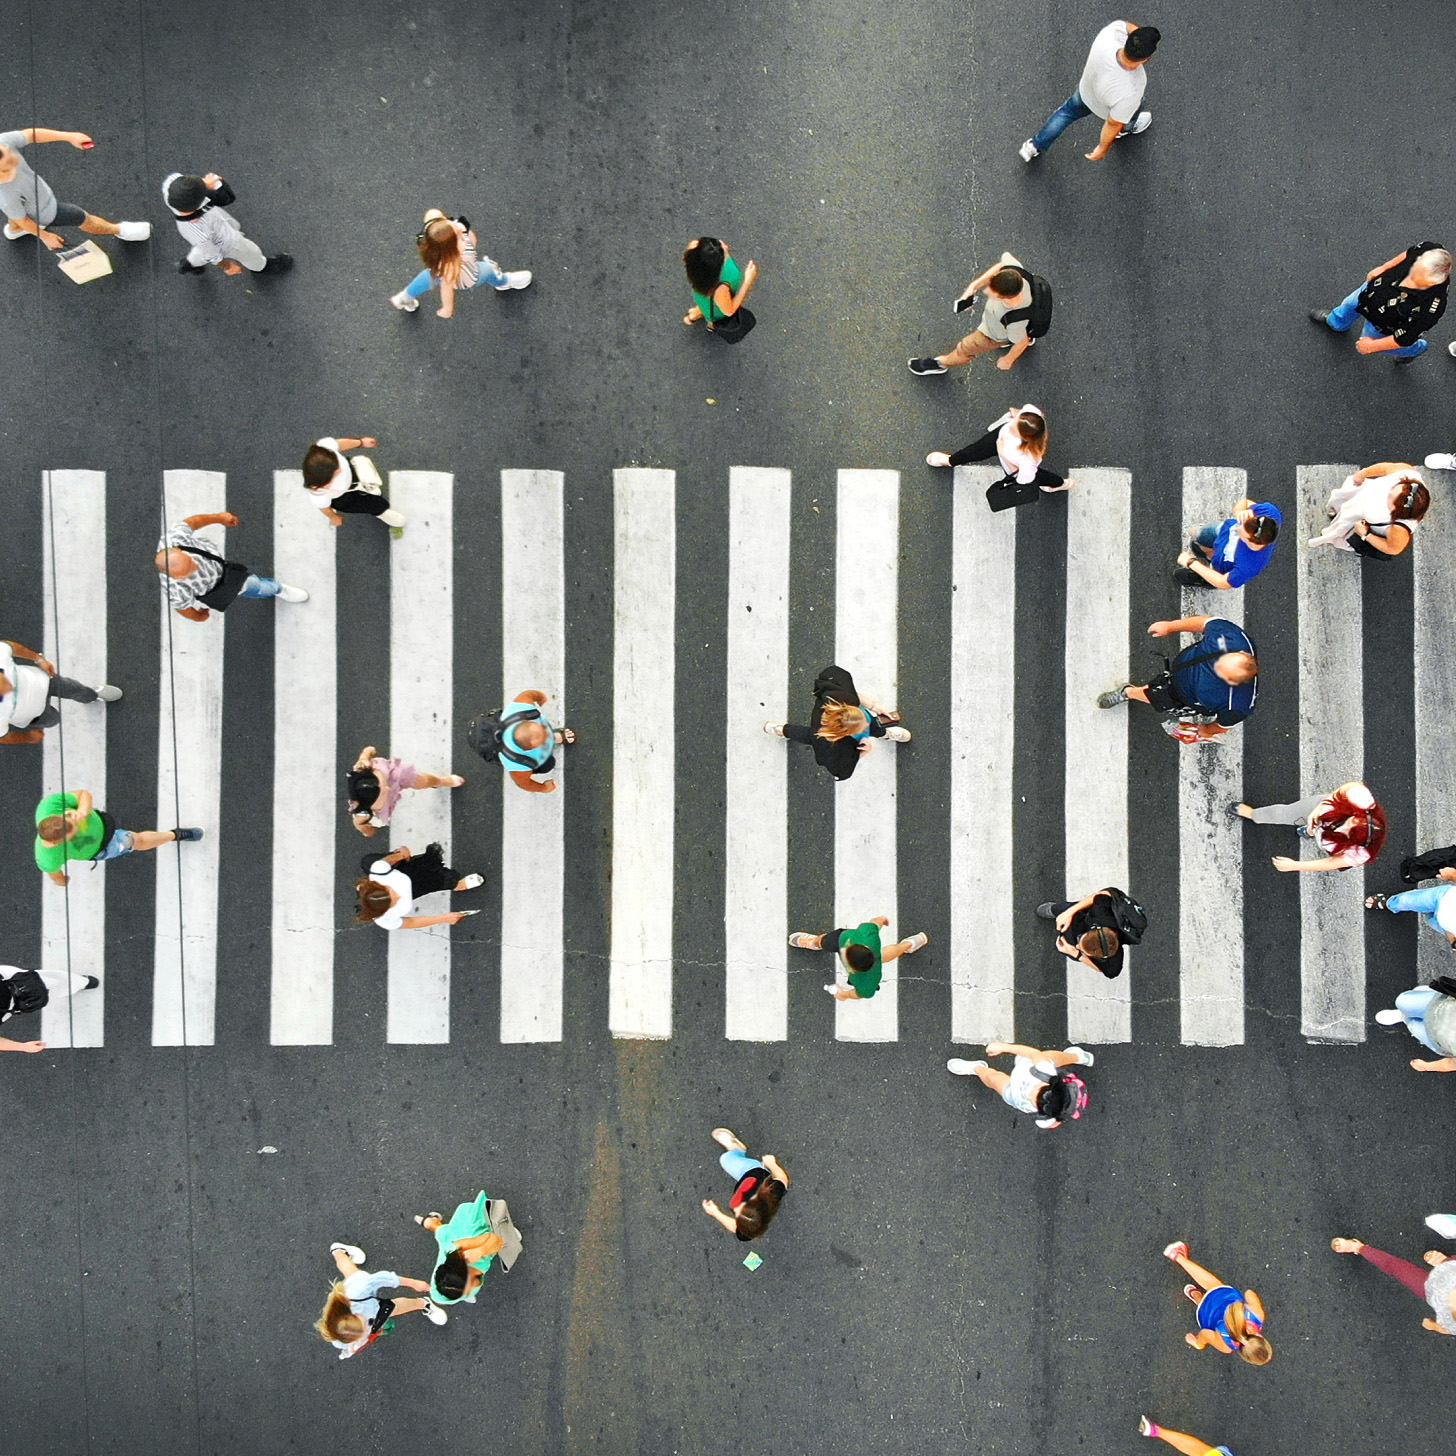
x,y
943,1278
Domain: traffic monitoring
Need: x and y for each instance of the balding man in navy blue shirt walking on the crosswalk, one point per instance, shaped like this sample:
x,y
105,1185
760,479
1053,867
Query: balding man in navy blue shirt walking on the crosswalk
x,y
1205,691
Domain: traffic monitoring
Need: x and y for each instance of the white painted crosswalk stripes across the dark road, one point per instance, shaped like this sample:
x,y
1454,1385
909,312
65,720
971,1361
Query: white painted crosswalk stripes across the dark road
x,y
314,863
